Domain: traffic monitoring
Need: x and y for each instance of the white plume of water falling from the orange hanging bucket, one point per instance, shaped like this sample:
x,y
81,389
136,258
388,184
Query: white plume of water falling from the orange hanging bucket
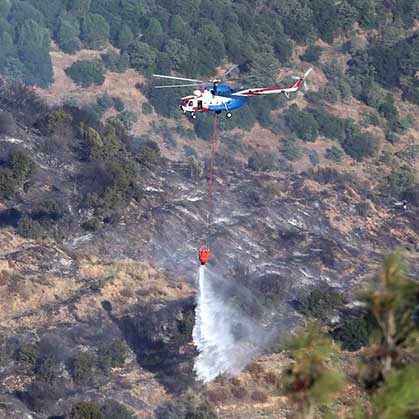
x,y
226,338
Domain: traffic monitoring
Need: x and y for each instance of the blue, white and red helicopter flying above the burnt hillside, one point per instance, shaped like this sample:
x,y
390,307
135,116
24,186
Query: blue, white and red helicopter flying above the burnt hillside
x,y
221,97
